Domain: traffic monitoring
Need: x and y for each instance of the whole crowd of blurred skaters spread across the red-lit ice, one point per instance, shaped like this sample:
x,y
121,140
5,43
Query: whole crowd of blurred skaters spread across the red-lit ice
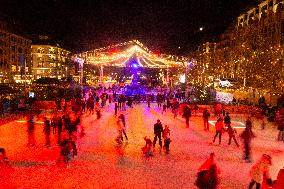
x,y
65,121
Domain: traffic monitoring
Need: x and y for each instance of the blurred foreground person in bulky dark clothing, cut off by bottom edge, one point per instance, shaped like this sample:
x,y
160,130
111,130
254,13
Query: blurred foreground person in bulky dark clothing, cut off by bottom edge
x,y
207,176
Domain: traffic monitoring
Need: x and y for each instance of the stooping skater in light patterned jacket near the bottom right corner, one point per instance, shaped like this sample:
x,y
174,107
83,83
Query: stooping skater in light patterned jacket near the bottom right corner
x,y
259,170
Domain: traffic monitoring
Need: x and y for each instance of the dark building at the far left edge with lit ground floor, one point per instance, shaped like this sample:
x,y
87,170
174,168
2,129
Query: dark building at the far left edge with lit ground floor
x,y
15,56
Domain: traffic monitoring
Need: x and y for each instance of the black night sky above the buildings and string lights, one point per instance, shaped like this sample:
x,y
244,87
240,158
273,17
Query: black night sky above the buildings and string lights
x,y
162,25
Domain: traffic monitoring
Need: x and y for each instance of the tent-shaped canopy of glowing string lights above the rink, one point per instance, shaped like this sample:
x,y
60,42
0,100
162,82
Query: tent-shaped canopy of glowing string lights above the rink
x,y
145,58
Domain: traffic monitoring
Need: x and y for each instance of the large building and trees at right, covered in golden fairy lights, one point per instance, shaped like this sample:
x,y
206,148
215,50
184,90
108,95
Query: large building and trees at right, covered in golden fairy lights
x,y
250,52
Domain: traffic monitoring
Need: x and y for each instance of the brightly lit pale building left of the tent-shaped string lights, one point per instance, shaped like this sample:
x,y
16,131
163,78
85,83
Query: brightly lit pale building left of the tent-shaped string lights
x,y
50,61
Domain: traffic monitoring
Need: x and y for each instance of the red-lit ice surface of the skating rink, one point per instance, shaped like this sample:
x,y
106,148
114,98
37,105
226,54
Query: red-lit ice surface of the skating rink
x,y
103,164
